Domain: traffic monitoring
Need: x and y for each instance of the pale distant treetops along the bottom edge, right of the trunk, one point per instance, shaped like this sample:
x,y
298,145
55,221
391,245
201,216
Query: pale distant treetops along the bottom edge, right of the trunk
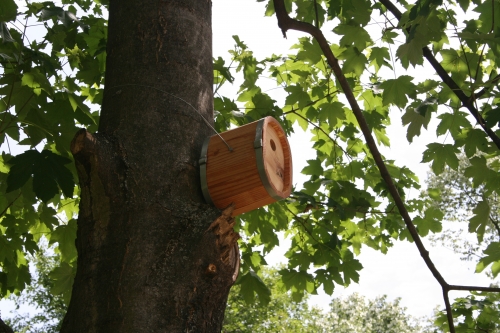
x,y
351,314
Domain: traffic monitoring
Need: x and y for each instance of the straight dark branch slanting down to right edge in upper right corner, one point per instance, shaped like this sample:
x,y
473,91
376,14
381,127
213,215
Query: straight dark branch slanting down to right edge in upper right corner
x,y
467,102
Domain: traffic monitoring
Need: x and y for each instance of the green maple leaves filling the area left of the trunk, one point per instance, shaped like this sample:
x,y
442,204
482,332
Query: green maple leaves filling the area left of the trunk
x,y
53,62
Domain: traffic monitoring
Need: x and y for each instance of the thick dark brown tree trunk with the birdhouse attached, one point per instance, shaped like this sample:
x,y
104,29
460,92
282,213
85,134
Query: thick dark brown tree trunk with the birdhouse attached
x,y
152,256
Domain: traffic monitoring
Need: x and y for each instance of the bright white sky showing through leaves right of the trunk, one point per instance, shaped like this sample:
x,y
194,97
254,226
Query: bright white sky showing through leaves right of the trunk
x,y
400,273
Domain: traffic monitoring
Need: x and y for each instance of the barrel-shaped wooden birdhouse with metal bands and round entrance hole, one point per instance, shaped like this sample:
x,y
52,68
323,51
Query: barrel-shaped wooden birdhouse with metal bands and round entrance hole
x,y
252,170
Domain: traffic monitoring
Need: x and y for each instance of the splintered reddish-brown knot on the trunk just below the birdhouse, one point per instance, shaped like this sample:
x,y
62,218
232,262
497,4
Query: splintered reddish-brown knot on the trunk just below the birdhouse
x,y
226,240
